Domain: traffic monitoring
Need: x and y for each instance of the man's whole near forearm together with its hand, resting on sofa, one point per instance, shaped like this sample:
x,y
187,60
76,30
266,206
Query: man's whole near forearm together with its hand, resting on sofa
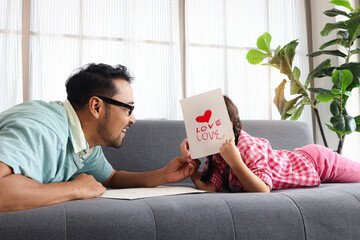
x,y
18,192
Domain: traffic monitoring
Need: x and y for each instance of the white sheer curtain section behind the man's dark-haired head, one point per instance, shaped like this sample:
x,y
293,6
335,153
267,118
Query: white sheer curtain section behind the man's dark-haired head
x,y
142,35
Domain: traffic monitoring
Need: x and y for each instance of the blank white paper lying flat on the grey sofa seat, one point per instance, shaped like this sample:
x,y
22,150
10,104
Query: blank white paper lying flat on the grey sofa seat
x,y
136,193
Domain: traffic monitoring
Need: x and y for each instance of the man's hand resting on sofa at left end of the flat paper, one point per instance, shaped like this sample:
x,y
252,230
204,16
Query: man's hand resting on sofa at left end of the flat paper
x,y
88,187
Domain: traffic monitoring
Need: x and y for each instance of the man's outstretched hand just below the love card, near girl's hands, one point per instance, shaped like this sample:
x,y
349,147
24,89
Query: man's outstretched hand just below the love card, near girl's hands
x,y
179,169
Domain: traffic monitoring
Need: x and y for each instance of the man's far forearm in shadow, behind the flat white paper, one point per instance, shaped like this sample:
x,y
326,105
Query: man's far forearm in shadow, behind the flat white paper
x,y
124,179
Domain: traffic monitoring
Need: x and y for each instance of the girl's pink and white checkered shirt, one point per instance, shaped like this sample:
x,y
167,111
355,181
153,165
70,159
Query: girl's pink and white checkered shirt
x,y
277,168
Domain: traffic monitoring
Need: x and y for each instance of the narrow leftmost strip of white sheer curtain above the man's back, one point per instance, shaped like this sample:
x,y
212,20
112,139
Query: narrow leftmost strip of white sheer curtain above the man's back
x,y
10,53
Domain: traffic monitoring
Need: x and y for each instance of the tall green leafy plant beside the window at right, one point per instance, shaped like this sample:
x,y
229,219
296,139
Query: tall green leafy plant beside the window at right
x,y
345,77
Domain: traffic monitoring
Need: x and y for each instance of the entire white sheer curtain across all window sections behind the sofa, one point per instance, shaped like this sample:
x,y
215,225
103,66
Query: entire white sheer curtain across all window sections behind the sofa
x,y
144,36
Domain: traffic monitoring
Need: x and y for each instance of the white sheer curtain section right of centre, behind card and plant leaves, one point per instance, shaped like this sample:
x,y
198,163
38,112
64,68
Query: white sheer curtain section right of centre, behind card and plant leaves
x,y
219,33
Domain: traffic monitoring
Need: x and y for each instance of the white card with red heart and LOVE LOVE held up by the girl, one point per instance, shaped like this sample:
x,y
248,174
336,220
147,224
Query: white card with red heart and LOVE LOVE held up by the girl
x,y
207,123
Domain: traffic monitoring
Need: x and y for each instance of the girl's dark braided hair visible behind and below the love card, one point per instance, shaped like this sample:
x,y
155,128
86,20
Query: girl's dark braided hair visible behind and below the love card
x,y
237,126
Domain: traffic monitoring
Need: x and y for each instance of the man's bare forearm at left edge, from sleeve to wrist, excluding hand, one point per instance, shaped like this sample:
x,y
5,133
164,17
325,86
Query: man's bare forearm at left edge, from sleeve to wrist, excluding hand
x,y
18,193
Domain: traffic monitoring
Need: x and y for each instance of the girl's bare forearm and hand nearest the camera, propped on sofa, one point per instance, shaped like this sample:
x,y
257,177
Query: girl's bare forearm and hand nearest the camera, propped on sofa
x,y
248,179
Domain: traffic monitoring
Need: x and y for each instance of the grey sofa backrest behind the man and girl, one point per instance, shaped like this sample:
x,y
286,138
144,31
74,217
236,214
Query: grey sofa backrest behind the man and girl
x,y
150,144
